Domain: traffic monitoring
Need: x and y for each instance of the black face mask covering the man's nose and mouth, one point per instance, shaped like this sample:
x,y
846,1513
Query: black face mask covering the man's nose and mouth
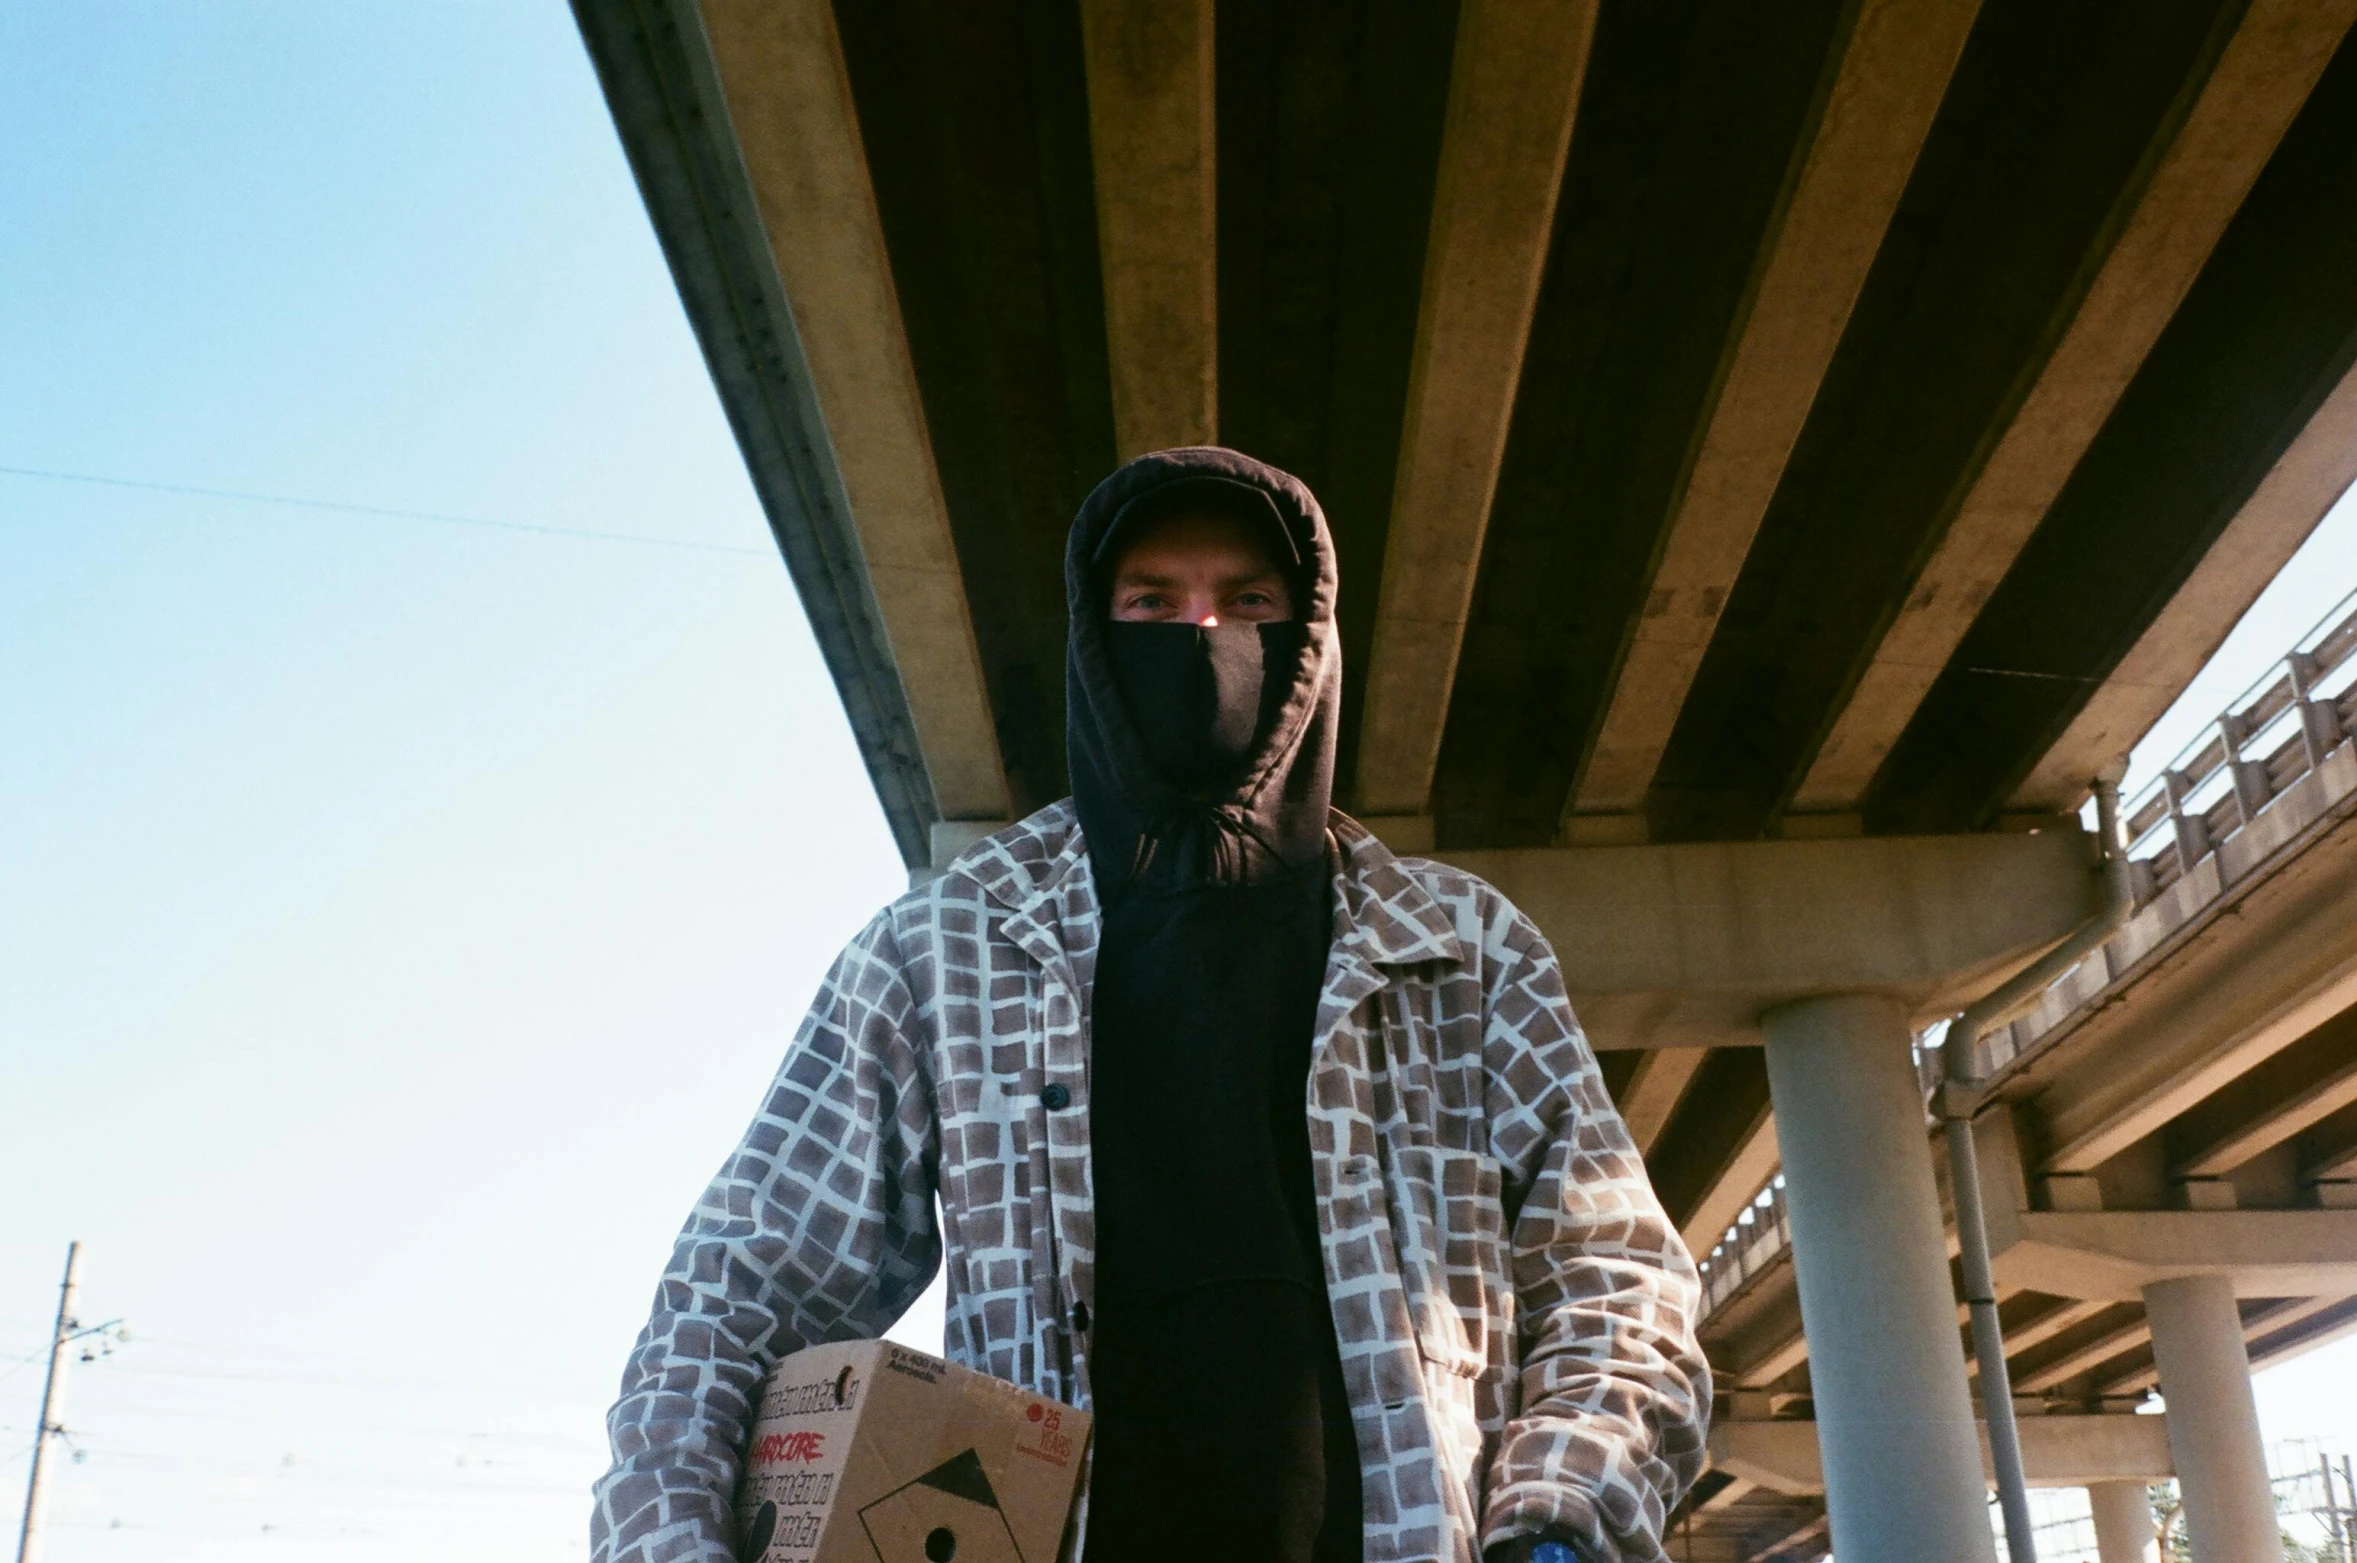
x,y
1203,699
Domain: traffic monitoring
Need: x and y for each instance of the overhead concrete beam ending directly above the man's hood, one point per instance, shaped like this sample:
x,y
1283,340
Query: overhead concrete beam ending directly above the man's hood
x,y
1154,145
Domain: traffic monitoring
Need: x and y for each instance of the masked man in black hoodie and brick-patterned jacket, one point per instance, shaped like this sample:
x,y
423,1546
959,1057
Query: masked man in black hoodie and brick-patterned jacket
x,y
1279,1152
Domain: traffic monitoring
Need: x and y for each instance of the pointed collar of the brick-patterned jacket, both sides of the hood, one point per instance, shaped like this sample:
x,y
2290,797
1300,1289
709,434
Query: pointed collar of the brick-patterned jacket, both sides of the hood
x,y
1038,869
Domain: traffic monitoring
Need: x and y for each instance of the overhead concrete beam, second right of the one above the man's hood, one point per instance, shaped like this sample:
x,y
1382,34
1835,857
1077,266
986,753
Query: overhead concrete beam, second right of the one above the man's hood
x,y
1877,112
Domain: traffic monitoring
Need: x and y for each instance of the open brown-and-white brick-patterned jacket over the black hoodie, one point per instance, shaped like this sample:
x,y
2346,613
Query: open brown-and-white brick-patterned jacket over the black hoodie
x,y
1514,1310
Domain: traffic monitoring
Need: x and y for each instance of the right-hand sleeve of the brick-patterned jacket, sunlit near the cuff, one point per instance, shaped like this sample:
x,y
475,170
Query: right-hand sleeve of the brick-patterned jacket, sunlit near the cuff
x,y
1616,1392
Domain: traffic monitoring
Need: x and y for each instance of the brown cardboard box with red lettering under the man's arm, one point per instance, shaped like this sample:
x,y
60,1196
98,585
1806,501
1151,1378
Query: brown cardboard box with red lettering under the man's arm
x,y
873,1453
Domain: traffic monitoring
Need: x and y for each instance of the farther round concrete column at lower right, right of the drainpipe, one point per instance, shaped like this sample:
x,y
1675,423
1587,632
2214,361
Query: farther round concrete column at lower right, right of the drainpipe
x,y
2212,1420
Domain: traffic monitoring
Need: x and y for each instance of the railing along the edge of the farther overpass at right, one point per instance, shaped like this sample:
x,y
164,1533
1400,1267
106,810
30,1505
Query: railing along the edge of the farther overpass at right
x,y
2238,800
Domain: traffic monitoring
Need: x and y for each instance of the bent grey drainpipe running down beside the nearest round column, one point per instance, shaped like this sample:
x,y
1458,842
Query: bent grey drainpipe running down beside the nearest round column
x,y
1960,1097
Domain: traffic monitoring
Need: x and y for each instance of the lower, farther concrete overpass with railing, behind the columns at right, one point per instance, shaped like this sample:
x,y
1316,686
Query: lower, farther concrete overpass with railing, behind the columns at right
x,y
2179,1107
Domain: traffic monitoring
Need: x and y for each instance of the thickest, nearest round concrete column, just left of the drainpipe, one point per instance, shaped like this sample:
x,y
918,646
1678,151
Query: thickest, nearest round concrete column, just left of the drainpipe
x,y
1884,1359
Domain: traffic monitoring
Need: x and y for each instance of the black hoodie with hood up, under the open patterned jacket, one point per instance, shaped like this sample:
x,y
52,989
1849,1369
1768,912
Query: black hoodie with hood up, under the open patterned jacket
x,y
1203,770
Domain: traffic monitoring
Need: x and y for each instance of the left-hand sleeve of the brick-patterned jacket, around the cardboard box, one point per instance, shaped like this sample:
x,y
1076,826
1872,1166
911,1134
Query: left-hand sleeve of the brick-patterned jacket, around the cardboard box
x,y
817,1229
